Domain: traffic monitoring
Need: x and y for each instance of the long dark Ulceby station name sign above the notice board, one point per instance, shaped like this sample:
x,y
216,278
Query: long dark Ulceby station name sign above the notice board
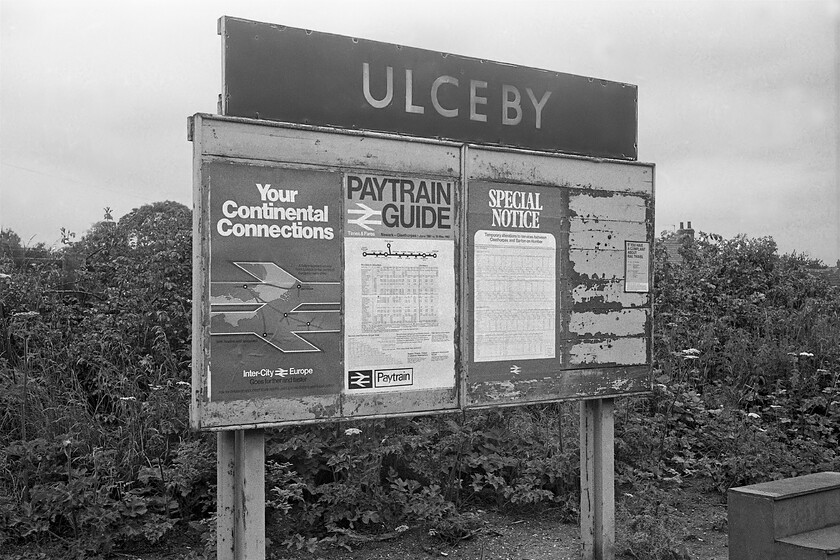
x,y
298,76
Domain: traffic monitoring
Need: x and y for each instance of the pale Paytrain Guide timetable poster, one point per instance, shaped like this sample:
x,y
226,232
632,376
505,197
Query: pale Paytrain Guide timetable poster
x,y
399,283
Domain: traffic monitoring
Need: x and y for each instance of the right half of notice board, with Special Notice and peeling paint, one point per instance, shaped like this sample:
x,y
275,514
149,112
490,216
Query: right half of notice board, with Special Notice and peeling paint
x,y
534,343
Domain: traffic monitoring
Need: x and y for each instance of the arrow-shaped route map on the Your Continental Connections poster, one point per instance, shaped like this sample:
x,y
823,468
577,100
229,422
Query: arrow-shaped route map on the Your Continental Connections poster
x,y
276,308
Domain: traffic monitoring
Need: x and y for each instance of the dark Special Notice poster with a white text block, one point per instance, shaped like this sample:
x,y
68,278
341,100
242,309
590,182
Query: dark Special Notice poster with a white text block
x,y
514,267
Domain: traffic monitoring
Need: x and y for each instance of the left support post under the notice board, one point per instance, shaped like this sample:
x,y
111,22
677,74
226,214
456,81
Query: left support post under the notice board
x,y
240,510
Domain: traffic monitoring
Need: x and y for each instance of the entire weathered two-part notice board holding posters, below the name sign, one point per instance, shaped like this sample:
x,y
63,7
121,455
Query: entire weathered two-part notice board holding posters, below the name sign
x,y
347,274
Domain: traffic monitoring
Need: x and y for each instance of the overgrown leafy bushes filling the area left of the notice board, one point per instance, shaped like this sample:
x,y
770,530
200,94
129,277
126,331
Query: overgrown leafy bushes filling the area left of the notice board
x,y
94,354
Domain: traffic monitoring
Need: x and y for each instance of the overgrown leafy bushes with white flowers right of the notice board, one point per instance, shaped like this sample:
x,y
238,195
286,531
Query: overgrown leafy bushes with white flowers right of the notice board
x,y
747,366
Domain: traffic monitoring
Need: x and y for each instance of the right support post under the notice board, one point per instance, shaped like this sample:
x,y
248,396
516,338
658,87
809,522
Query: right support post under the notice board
x,y
597,479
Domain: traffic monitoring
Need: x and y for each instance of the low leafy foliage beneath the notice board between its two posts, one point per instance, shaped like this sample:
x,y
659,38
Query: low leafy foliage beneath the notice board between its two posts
x,y
383,475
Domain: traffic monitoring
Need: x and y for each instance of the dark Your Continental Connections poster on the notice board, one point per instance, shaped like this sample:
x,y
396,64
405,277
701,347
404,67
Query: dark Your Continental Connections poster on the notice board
x,y
275,292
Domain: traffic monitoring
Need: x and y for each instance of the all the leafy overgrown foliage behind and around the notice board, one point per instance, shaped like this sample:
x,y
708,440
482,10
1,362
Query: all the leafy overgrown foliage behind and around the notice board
x,y
94,391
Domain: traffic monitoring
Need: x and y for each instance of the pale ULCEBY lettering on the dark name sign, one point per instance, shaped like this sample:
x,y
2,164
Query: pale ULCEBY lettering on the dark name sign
x,y
512,110
